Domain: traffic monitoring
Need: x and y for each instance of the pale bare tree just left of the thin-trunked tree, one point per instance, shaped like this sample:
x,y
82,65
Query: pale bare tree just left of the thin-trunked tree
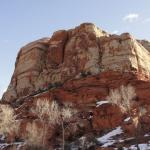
x,y
48,113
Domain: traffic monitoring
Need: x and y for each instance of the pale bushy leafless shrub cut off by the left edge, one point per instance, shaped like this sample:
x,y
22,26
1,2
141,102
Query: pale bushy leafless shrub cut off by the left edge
x,y
8,122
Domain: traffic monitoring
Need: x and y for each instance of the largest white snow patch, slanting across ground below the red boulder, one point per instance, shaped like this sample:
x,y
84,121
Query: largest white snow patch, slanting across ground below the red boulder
x,y
107,140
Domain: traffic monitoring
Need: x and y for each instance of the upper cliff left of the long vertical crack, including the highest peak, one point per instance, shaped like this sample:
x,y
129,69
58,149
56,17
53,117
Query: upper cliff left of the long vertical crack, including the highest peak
x,y
57,59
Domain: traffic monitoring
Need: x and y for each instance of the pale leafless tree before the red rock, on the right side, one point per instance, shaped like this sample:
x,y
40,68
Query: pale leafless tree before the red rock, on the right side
x,y
123,97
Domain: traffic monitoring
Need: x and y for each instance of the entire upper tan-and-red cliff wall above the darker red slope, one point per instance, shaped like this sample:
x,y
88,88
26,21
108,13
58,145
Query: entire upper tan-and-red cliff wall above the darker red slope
x,y
73,53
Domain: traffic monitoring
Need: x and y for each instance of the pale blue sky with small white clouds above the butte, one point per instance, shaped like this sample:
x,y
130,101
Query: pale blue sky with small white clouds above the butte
x,y
22,21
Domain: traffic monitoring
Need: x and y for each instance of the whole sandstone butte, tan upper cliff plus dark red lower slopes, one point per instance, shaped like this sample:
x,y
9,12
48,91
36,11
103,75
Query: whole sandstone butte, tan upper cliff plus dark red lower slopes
x,y
81,66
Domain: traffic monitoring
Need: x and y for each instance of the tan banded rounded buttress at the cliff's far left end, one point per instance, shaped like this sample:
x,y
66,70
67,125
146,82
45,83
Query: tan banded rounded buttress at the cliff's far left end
x,y
29,65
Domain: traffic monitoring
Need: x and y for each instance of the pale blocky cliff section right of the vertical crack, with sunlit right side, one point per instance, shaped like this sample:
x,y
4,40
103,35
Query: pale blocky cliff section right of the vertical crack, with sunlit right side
x,y
124,54
